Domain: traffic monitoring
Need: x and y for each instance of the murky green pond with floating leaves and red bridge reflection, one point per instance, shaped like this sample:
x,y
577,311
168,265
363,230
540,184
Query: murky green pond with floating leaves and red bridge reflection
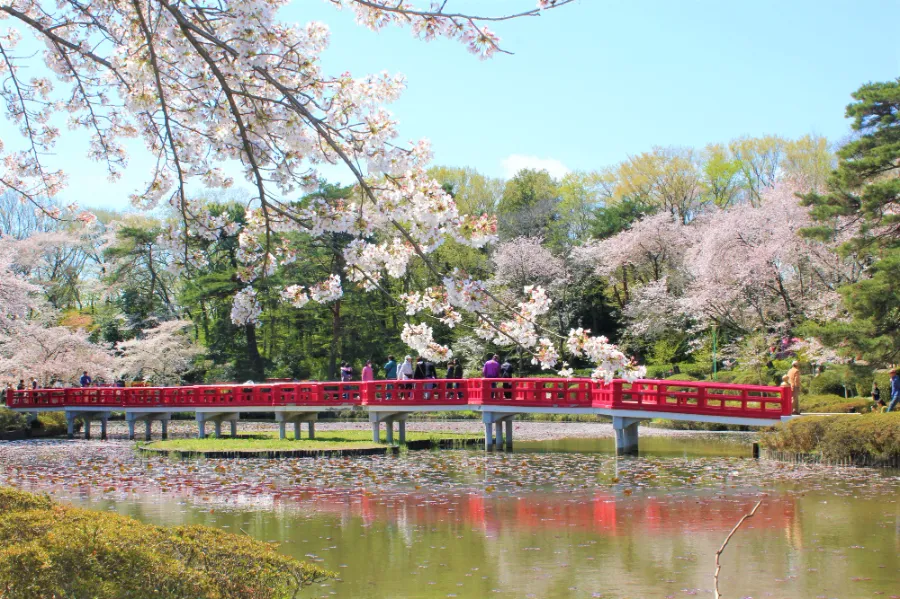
x,y
560,519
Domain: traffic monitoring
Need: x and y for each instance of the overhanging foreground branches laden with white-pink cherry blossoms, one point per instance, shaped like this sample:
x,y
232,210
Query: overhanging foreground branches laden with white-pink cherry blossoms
x,y
203,82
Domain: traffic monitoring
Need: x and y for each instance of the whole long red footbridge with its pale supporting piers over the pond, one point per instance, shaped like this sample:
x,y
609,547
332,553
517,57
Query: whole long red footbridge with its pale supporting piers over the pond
x,y
499,400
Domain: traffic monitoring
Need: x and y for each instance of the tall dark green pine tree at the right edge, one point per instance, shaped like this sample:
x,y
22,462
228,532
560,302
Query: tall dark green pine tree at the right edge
x,y
863,197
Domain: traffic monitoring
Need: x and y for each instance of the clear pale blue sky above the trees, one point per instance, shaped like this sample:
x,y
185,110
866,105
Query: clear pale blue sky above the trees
x,y
597,80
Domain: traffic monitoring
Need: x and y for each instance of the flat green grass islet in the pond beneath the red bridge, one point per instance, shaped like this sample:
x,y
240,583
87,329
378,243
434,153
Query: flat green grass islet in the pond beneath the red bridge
x,y
325,440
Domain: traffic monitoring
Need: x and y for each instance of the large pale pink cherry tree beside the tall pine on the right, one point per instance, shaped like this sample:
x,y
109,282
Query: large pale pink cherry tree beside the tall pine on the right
x,y
750,267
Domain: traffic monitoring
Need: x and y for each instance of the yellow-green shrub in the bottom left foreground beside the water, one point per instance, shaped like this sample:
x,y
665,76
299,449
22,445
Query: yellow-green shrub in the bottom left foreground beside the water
x,y
51,550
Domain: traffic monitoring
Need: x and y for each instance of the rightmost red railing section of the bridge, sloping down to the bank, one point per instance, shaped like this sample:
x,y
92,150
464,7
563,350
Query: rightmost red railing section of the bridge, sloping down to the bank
x,y
702,398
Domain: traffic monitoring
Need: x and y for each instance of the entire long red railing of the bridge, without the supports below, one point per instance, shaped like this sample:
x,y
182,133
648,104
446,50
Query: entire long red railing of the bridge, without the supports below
x,y
701,398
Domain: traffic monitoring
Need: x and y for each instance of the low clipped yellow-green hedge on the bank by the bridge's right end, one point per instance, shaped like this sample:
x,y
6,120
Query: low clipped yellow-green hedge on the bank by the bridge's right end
x,y
838,437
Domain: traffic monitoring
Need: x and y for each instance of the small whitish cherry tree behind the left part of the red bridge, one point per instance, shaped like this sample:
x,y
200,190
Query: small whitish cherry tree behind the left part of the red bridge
x,y
161,354
